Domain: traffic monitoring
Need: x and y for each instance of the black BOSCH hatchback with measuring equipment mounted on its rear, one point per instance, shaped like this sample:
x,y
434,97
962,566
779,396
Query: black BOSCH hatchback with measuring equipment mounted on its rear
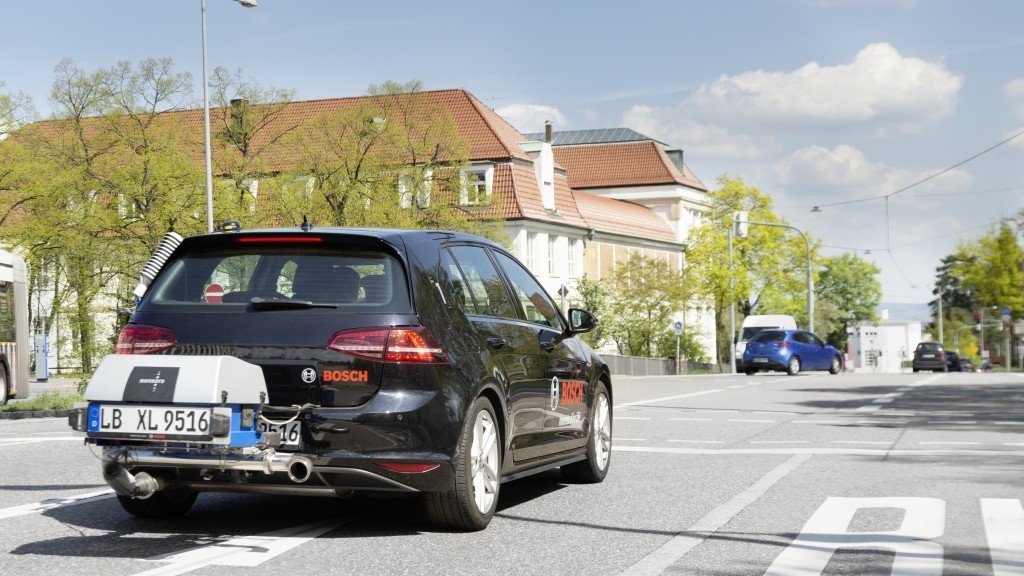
x,y
394,361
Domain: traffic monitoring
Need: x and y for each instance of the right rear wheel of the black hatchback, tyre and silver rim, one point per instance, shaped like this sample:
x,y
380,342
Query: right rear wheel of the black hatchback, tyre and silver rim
x,y
473,502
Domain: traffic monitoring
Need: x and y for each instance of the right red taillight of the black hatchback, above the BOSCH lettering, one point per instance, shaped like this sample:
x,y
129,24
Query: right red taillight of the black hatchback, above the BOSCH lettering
x,y
412,345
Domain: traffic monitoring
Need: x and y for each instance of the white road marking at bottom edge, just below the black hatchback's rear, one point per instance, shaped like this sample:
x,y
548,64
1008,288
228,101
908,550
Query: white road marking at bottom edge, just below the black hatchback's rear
x,y
245,551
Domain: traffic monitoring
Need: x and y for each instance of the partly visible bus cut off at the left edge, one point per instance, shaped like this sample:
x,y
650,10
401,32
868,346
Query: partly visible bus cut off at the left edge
x,y
14,328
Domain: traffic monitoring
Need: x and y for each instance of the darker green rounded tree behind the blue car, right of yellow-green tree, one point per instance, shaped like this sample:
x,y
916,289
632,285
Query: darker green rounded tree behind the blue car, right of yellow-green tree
x,y
851,285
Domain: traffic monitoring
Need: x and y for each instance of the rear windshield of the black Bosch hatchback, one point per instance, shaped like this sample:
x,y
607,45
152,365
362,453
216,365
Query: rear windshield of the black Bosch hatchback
x,y
230,279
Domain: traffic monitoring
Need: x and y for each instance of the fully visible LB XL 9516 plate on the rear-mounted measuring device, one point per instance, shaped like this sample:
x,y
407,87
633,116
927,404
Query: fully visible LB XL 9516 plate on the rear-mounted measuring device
x,y
150,423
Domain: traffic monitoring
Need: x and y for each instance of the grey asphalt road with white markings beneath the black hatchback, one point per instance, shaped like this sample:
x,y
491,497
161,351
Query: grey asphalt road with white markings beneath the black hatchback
x,y
854,474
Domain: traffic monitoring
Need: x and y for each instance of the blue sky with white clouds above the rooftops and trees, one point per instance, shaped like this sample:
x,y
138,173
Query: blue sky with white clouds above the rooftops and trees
x,y
838,103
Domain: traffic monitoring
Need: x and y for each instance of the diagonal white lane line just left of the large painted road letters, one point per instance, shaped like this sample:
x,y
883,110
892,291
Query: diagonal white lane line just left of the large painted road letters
x,y
670,553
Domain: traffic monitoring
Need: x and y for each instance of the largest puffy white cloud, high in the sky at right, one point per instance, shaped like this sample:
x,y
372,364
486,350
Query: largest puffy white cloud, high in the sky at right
x,y
880,92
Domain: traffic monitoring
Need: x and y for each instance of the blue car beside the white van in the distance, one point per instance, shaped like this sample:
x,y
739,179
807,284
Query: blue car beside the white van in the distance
x,y
792,351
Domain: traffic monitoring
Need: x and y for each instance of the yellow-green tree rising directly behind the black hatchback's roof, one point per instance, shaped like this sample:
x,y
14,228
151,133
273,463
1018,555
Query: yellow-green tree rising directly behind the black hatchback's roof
x,y
393,159
